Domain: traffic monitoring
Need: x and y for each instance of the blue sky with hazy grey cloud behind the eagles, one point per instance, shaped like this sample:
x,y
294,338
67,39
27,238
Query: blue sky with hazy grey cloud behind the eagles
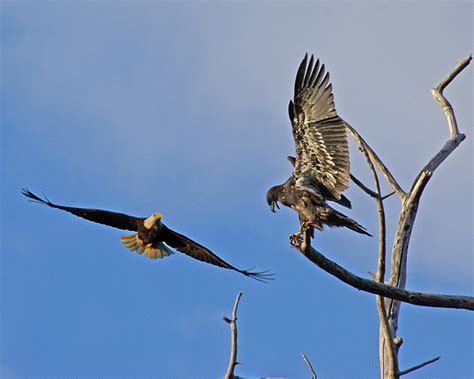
x,y
181,108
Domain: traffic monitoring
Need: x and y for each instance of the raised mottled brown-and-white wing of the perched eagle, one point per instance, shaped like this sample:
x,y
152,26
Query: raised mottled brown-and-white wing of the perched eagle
x,y
322,152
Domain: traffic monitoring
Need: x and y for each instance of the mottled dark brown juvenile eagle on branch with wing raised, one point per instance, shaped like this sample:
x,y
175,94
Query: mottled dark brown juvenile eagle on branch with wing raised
x,y
321,167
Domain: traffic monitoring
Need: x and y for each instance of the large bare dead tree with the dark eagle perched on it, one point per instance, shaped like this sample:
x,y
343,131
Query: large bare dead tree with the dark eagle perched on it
x,y
391,294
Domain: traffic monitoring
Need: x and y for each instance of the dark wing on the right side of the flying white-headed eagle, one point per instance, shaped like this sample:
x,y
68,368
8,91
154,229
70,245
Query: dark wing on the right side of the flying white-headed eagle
x,y
193,249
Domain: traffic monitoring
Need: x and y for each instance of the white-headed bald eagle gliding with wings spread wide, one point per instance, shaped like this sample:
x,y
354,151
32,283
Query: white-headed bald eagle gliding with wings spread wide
x,y
151,237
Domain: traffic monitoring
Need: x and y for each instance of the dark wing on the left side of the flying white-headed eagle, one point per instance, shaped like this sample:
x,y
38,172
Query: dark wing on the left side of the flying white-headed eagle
x,y
113,219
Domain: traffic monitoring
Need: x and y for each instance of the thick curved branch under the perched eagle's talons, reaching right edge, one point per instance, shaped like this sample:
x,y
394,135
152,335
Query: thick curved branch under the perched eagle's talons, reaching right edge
x,y
385,290
